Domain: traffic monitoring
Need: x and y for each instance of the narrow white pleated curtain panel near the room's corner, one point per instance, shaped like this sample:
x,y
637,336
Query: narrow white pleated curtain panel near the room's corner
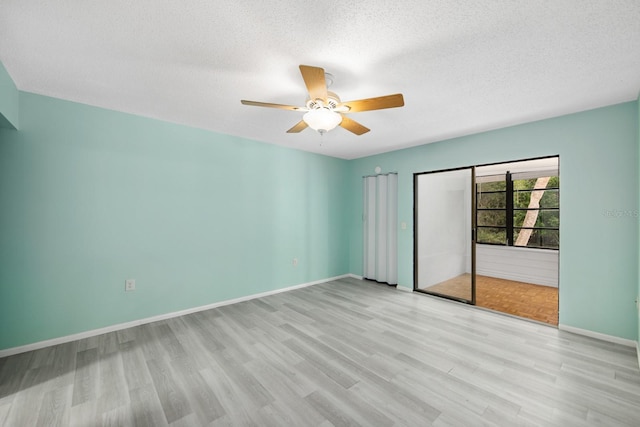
x,y
380,228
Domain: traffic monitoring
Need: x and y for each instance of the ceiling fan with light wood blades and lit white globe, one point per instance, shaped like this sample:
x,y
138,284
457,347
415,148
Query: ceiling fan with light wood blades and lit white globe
x,y
324,110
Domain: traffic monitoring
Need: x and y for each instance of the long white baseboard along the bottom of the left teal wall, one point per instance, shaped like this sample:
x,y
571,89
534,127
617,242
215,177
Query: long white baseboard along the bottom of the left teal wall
x,y
120,326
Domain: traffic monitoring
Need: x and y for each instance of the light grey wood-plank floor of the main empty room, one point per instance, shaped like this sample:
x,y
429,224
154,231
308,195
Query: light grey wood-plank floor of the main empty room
x,y
341,353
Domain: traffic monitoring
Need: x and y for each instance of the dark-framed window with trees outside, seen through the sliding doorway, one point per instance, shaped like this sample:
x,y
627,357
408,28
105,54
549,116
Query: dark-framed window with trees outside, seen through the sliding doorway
x,y
520,209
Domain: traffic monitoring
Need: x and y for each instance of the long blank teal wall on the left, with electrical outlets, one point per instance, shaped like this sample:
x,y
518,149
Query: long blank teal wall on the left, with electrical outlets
x,y
91,197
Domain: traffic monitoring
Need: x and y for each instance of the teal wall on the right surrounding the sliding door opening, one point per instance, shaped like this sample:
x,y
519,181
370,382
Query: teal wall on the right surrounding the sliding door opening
x,y
599,193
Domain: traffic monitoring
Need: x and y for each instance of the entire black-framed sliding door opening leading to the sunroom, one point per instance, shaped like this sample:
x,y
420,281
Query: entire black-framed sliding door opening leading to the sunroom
x,y
489,236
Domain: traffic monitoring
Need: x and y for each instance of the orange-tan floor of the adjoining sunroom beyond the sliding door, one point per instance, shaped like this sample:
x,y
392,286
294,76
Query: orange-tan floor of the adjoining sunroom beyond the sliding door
x,y
520,299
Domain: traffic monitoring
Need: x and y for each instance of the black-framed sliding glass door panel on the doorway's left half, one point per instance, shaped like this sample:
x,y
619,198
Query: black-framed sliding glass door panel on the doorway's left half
x,y
444,238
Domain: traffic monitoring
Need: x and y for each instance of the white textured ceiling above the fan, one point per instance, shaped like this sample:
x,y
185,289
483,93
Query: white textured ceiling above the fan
x,y
463,66
